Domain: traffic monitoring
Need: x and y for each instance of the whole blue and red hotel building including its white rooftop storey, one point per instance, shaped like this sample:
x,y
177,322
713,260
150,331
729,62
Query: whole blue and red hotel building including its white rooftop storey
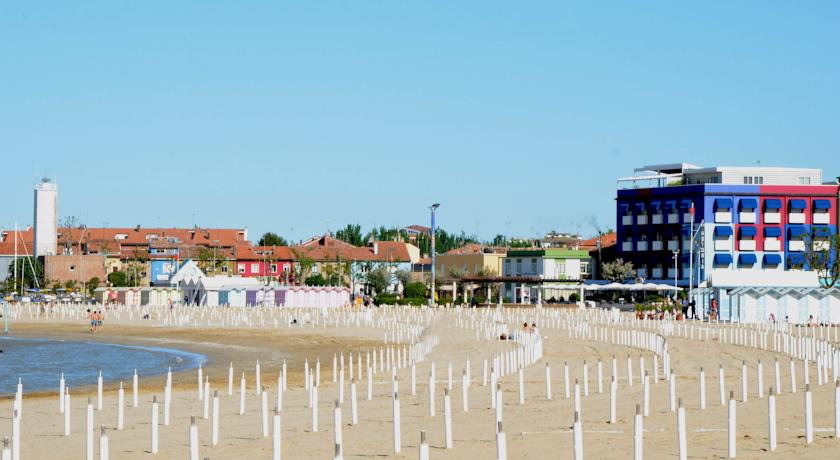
x,y
749,222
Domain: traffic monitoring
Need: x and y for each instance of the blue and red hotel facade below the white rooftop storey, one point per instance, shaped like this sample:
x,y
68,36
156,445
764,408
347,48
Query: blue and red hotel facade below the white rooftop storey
x,y
750,229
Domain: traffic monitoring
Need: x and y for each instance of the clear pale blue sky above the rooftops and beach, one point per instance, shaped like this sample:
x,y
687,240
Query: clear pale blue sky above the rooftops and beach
x,y
309,115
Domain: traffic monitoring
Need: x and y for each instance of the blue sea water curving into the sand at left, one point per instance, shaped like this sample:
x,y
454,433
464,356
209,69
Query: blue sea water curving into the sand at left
x,y
40,362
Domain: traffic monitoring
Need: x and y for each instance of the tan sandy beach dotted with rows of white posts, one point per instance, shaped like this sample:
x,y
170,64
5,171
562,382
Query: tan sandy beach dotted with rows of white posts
x,y
537,429
